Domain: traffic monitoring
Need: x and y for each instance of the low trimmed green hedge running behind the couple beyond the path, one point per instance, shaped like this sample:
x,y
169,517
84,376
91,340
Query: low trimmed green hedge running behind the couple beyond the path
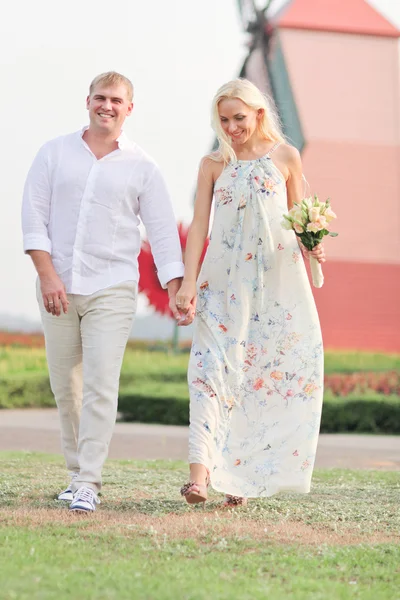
x,y
154,401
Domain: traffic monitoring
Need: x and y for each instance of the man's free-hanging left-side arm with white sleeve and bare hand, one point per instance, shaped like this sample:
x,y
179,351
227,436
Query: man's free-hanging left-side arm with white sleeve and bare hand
x,y
35,220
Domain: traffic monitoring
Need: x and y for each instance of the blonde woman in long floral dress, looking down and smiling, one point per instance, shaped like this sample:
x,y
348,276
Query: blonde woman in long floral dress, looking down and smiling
x,y
256,365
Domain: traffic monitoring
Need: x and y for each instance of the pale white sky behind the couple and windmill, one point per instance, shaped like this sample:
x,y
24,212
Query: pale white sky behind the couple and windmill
x,y
176,52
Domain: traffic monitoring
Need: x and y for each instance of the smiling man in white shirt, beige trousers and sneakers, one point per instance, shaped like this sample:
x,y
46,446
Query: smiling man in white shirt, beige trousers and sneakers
x,y
82,201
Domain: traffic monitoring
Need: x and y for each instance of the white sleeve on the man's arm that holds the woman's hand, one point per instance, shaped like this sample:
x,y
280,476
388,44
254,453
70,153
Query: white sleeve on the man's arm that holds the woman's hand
x,y
158,218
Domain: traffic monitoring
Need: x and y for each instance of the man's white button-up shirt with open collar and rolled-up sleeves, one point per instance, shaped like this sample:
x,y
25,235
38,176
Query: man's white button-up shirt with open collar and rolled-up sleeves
x,y
86,213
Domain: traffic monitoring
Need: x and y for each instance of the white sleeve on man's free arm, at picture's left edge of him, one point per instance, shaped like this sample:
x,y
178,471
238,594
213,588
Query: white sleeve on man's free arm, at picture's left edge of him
x,y
36,205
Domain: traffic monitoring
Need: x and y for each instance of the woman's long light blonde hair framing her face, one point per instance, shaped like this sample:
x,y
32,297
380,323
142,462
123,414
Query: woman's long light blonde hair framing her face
x,y
268,126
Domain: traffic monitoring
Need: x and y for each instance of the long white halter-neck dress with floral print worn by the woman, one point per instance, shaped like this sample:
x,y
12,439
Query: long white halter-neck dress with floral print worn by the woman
x,y
256,366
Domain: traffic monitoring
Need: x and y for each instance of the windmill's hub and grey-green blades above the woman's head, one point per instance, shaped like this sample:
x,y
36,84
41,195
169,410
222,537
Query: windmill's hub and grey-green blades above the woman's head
x,y
265,65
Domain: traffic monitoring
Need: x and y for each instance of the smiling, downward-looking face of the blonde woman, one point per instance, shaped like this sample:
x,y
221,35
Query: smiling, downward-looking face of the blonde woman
x,y
238,120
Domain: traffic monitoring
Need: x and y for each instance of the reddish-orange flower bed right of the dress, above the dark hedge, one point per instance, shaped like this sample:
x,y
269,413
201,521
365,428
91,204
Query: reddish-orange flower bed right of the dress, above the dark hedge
x,y
343,384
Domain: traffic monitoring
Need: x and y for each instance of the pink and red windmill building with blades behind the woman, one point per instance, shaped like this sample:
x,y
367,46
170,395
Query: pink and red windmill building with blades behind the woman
x,y
341,60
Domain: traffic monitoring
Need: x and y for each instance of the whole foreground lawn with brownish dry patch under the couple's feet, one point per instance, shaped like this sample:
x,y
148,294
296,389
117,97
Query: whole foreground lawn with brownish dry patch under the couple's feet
x,y
340,542
